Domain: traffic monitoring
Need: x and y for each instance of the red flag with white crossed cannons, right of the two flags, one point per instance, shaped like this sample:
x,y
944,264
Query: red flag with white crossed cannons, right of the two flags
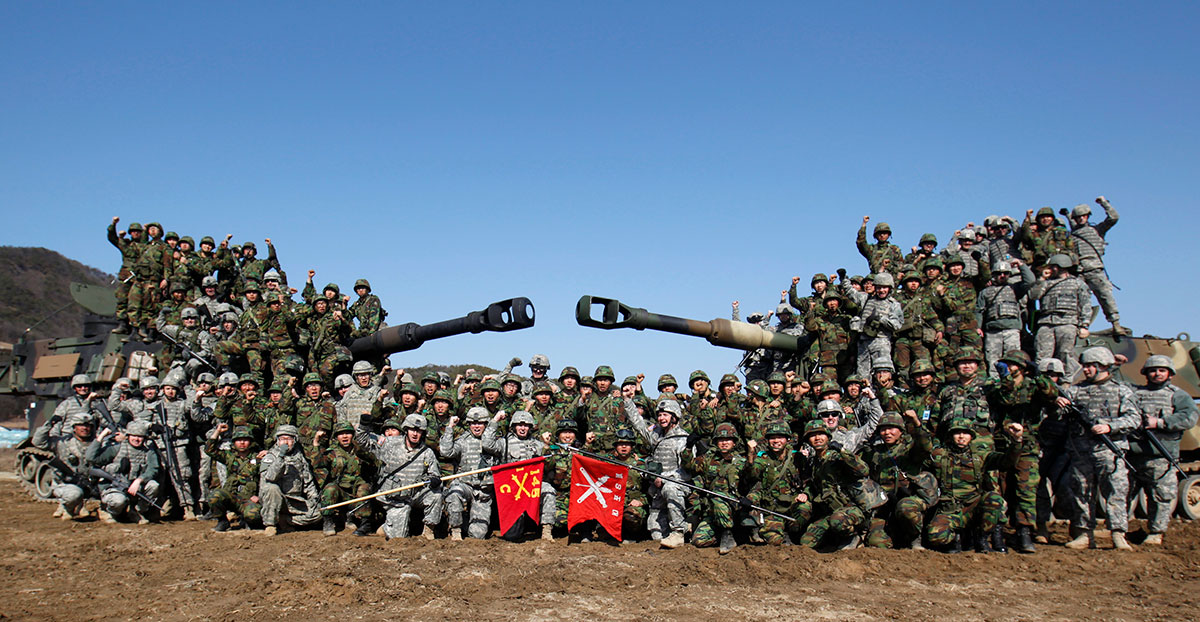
x,y
598,492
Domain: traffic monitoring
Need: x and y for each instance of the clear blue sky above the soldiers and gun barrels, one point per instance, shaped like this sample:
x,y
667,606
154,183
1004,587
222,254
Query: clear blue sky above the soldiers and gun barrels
x,y
674,155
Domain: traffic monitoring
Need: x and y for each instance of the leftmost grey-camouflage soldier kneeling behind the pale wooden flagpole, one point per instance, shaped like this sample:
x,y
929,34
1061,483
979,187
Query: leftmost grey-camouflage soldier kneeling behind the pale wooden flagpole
x,y
406,459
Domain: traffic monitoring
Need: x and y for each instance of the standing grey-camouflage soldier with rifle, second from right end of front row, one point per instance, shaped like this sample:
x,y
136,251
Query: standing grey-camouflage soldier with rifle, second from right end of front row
x,y
1112,409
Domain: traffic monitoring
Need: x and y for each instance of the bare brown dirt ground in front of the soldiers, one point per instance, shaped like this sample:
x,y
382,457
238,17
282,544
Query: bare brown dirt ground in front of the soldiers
x,y
183,571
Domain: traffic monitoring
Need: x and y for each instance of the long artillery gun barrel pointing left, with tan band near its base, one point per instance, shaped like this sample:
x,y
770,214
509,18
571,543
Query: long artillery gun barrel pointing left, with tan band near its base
x,y
725,333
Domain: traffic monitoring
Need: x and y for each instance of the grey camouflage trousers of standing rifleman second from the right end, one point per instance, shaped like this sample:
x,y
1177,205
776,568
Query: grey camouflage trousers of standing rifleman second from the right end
x,y
1095,470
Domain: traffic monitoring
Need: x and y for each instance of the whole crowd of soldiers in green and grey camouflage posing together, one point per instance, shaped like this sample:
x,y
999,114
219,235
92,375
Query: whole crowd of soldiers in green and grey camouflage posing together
x,y
917,421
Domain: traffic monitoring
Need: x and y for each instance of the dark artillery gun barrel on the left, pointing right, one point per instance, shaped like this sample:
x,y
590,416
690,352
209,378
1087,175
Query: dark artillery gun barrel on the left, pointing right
x,y
499,318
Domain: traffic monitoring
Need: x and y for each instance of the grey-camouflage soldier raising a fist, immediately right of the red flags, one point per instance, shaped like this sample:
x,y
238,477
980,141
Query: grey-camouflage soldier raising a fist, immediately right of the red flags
x,y
668,442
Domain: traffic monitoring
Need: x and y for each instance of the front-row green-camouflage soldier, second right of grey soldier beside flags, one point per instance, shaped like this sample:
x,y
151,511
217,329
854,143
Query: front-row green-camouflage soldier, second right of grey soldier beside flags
x,y
778,487
